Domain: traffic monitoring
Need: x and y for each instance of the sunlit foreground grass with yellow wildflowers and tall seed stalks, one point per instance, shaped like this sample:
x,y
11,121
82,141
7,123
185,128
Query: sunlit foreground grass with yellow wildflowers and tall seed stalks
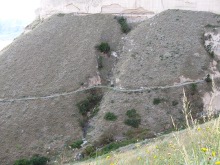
x,y
196,145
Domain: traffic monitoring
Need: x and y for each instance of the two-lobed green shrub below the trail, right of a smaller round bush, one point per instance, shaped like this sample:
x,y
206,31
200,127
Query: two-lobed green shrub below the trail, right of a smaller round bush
x,y
134,118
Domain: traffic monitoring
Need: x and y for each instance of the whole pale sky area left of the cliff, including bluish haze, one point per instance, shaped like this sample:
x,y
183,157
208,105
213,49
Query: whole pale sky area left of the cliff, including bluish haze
x,y
14,16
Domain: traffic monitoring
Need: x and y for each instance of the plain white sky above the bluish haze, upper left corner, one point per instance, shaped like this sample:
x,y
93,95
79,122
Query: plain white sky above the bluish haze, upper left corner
x,y
18,9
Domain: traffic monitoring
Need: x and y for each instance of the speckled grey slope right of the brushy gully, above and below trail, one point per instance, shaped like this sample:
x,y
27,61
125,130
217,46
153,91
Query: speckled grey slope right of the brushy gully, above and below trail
x,y
164,51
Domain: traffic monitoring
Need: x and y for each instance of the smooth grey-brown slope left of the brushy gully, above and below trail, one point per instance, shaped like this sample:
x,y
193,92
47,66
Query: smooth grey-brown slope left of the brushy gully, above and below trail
x,y
58,56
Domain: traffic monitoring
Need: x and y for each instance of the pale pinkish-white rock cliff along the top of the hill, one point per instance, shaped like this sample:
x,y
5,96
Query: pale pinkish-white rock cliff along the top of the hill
x,y
148,7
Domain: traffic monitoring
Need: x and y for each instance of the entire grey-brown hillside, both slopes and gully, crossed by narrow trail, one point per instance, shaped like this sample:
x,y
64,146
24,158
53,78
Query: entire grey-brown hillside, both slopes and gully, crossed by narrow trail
x,y
57,89
